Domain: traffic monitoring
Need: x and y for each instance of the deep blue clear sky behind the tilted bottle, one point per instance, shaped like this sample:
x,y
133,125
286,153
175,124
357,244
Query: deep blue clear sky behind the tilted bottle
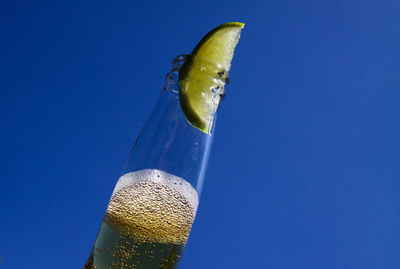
x,y
304,171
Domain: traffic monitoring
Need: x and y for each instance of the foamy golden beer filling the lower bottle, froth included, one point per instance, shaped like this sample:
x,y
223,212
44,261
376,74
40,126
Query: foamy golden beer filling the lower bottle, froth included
x,y
147,222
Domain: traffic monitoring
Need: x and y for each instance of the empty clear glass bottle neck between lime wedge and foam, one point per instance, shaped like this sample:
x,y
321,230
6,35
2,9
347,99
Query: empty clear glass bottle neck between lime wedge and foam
x,y
167,142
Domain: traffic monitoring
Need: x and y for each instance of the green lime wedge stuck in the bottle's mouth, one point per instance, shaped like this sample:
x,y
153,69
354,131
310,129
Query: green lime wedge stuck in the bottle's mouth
x,y
202,77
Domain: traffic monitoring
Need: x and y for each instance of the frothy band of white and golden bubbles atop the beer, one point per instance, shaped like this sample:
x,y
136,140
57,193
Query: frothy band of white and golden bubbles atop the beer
x,y
153,206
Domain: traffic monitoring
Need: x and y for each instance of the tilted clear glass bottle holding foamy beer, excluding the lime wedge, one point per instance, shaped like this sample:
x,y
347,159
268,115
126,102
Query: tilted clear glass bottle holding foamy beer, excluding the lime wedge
x,y
154,203
